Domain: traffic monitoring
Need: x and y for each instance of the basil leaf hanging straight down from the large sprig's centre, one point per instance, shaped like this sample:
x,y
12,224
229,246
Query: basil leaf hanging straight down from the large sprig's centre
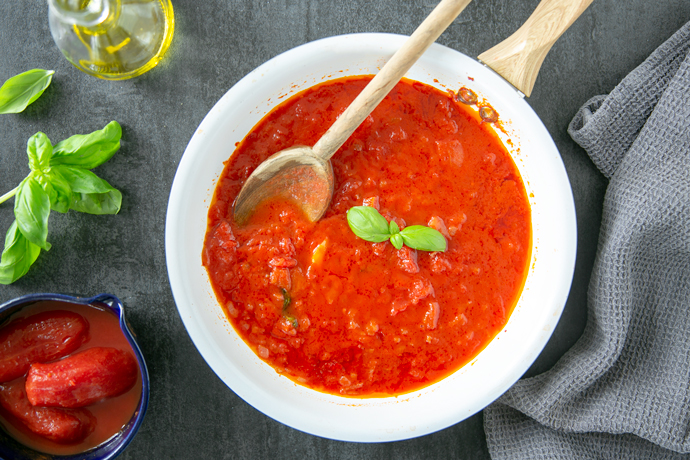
x,y
31,209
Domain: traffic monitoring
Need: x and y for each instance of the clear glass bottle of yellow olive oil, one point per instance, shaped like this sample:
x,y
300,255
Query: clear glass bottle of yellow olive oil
x,y
112,39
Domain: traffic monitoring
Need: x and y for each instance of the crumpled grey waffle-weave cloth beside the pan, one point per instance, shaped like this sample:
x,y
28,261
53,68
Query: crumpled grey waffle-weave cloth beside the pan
x,y
623,390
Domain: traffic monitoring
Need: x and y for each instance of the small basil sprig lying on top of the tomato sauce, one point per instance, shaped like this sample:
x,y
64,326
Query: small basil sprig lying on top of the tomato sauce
x,y
367,223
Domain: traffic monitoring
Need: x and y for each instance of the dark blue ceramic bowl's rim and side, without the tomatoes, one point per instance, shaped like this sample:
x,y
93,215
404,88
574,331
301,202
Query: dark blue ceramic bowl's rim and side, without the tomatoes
x,y
12,450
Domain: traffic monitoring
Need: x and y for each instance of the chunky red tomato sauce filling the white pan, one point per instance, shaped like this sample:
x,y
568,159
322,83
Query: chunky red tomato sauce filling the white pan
x,y
346,316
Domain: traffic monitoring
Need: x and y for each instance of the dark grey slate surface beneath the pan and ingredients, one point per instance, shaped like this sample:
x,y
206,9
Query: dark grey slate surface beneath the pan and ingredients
x,y
192,414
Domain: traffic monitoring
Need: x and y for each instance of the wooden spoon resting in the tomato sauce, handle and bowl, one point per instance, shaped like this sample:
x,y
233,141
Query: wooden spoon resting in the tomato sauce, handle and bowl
x,y
304,174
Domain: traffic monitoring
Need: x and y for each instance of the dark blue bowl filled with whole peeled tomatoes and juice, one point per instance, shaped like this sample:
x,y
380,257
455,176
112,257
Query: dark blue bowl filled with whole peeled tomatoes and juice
x,y
74,383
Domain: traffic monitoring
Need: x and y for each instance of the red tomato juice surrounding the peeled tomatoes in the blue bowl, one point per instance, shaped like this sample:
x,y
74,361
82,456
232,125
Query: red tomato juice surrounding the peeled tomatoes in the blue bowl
x,y
111,414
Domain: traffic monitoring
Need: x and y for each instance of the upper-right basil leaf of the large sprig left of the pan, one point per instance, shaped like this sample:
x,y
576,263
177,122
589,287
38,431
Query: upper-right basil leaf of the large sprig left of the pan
x,y
88,150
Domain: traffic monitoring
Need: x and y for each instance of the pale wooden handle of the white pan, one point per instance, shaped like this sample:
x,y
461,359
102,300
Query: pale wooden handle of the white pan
x,y
519,57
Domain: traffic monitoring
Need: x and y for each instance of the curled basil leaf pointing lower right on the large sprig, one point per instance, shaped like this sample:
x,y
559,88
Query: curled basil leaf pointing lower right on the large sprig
x,y
90,193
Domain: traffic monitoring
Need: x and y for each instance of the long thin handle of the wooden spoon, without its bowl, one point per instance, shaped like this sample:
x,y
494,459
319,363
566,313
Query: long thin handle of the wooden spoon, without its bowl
x,y
426,34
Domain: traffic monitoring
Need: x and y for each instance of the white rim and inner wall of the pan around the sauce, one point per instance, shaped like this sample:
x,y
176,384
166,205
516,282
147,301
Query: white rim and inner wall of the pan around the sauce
x,y
433,407
